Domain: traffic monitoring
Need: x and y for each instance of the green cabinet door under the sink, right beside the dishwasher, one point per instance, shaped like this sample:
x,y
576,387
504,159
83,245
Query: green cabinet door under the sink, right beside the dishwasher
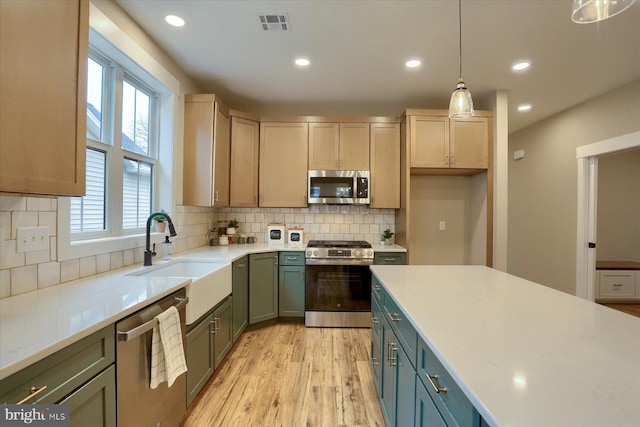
x,y
199,355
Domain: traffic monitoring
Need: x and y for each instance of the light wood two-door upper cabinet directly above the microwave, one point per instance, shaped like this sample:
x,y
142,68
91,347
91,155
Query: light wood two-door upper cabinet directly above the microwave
x,y
338,146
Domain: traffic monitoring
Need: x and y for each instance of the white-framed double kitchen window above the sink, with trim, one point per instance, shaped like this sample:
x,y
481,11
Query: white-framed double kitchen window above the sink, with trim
x,y
130,119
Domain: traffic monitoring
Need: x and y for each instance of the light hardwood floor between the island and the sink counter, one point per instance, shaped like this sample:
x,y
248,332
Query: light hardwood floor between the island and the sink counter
x,y
287,375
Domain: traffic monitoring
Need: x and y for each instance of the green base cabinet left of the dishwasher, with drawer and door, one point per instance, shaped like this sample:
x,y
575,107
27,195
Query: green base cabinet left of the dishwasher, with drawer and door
x,y
81,375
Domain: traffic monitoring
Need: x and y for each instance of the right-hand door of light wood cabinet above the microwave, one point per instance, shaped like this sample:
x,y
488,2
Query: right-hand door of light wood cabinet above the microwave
x,y
354,147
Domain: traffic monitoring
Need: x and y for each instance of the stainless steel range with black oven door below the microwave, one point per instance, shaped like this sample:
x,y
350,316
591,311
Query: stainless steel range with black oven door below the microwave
x,y
338,283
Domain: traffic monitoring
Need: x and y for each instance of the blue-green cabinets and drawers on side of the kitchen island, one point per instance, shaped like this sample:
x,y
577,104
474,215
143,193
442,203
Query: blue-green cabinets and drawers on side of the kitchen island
x,y
413,386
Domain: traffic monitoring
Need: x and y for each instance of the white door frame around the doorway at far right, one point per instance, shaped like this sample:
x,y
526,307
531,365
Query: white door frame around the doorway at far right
x,y
587,156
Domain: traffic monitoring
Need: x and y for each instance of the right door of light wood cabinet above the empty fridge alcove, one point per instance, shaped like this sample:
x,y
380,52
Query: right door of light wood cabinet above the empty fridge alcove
x,y
469,143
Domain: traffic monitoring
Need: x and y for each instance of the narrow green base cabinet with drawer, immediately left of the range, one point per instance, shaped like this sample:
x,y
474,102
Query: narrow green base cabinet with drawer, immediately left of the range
x,y
291,284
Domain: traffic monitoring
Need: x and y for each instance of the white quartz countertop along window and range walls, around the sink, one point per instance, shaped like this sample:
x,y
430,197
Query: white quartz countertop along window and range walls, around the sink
x,y
36,324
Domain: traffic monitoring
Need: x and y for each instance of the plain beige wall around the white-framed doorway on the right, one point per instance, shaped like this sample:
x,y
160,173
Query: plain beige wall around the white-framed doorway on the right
x,y
543,186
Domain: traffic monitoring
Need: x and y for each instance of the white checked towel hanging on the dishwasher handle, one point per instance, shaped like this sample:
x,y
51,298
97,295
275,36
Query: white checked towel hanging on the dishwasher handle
x,y
167,353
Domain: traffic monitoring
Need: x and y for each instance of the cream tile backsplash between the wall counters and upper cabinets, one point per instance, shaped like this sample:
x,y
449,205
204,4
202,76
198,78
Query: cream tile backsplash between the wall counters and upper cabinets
x,y
24,272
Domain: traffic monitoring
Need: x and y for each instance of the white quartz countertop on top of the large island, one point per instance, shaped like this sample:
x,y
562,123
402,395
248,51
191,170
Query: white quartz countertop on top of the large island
x,y
523,353
